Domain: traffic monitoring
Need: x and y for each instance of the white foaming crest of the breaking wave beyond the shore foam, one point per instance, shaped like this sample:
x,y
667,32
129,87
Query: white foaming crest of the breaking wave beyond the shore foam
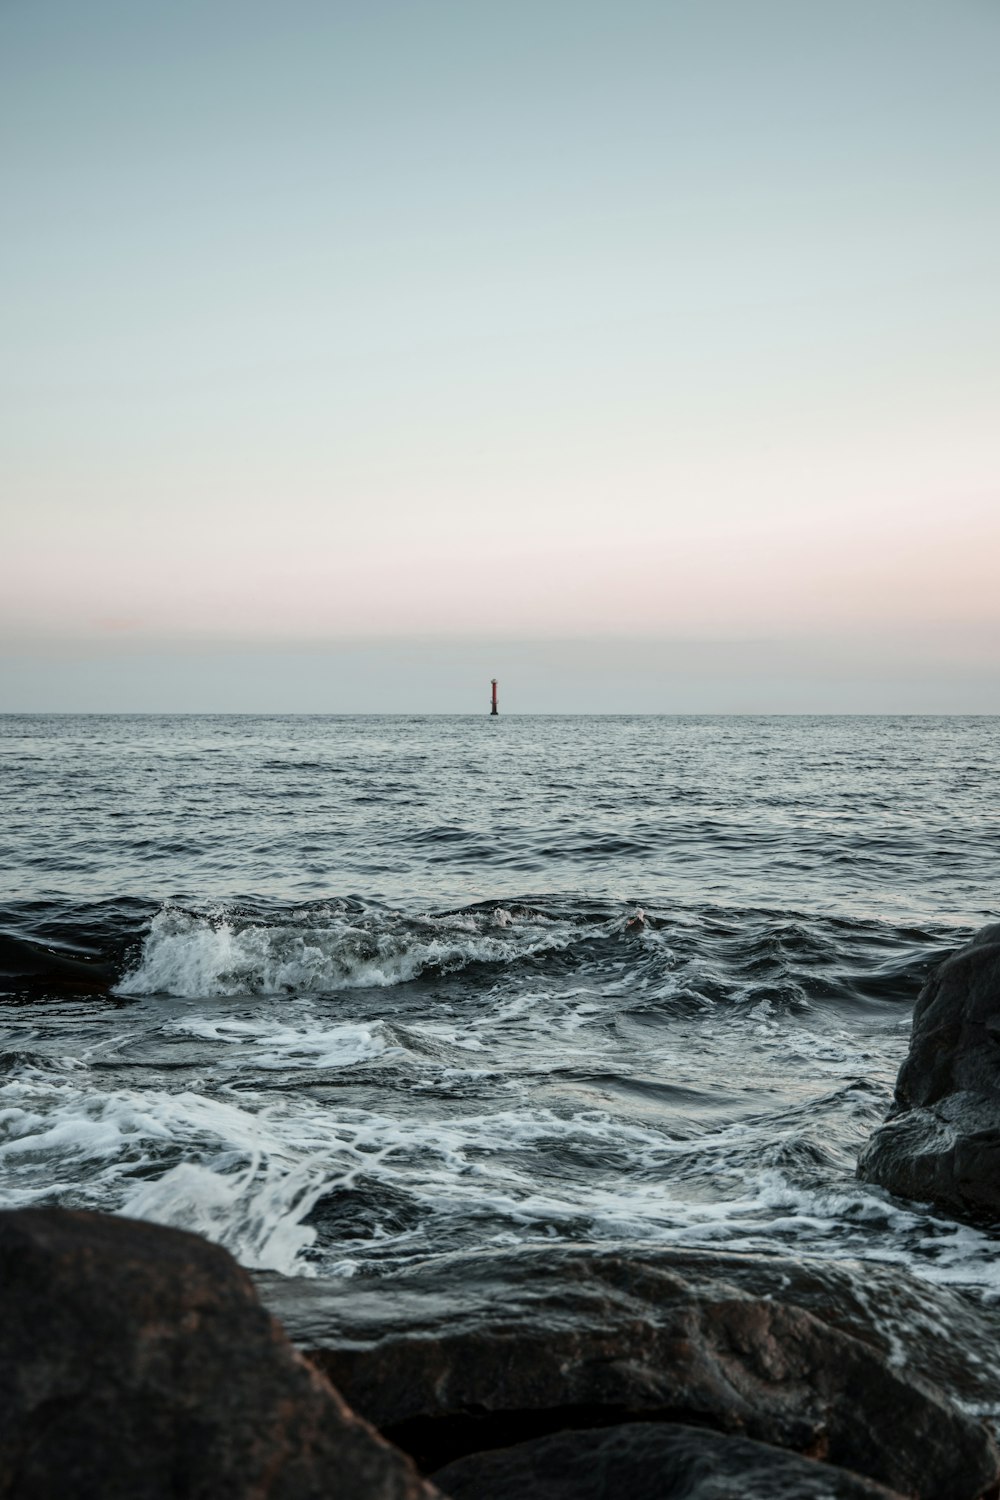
x,y
200,956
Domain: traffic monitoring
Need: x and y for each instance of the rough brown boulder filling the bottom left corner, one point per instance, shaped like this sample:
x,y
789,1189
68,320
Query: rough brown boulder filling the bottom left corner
x,y
137,1364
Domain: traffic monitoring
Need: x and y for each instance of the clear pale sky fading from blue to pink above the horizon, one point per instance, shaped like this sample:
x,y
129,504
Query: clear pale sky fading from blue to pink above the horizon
x,y
642,355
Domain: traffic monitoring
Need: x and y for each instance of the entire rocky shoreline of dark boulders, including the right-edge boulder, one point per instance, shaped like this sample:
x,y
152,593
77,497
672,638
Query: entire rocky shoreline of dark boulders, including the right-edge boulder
x,y
143,1363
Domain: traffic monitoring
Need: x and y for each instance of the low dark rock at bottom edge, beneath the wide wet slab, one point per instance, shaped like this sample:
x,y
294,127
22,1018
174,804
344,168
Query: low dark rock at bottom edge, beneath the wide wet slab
x,y
650,1462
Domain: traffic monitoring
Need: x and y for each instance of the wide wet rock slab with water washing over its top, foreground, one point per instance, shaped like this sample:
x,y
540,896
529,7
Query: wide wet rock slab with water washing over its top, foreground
x,y
481,1351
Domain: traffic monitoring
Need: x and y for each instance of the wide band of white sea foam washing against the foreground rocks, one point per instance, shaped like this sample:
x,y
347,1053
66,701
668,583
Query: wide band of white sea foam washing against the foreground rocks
x,y
248,1177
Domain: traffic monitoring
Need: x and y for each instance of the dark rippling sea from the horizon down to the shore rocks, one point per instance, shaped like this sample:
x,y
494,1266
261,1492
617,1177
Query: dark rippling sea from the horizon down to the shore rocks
x,y
352,992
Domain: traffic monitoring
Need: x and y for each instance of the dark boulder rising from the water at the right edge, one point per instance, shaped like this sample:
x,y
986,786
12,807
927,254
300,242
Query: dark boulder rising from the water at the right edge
x,y
941,1142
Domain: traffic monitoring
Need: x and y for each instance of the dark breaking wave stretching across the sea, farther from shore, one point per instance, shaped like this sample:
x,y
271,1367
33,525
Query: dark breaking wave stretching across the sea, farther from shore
x,y
671,956
